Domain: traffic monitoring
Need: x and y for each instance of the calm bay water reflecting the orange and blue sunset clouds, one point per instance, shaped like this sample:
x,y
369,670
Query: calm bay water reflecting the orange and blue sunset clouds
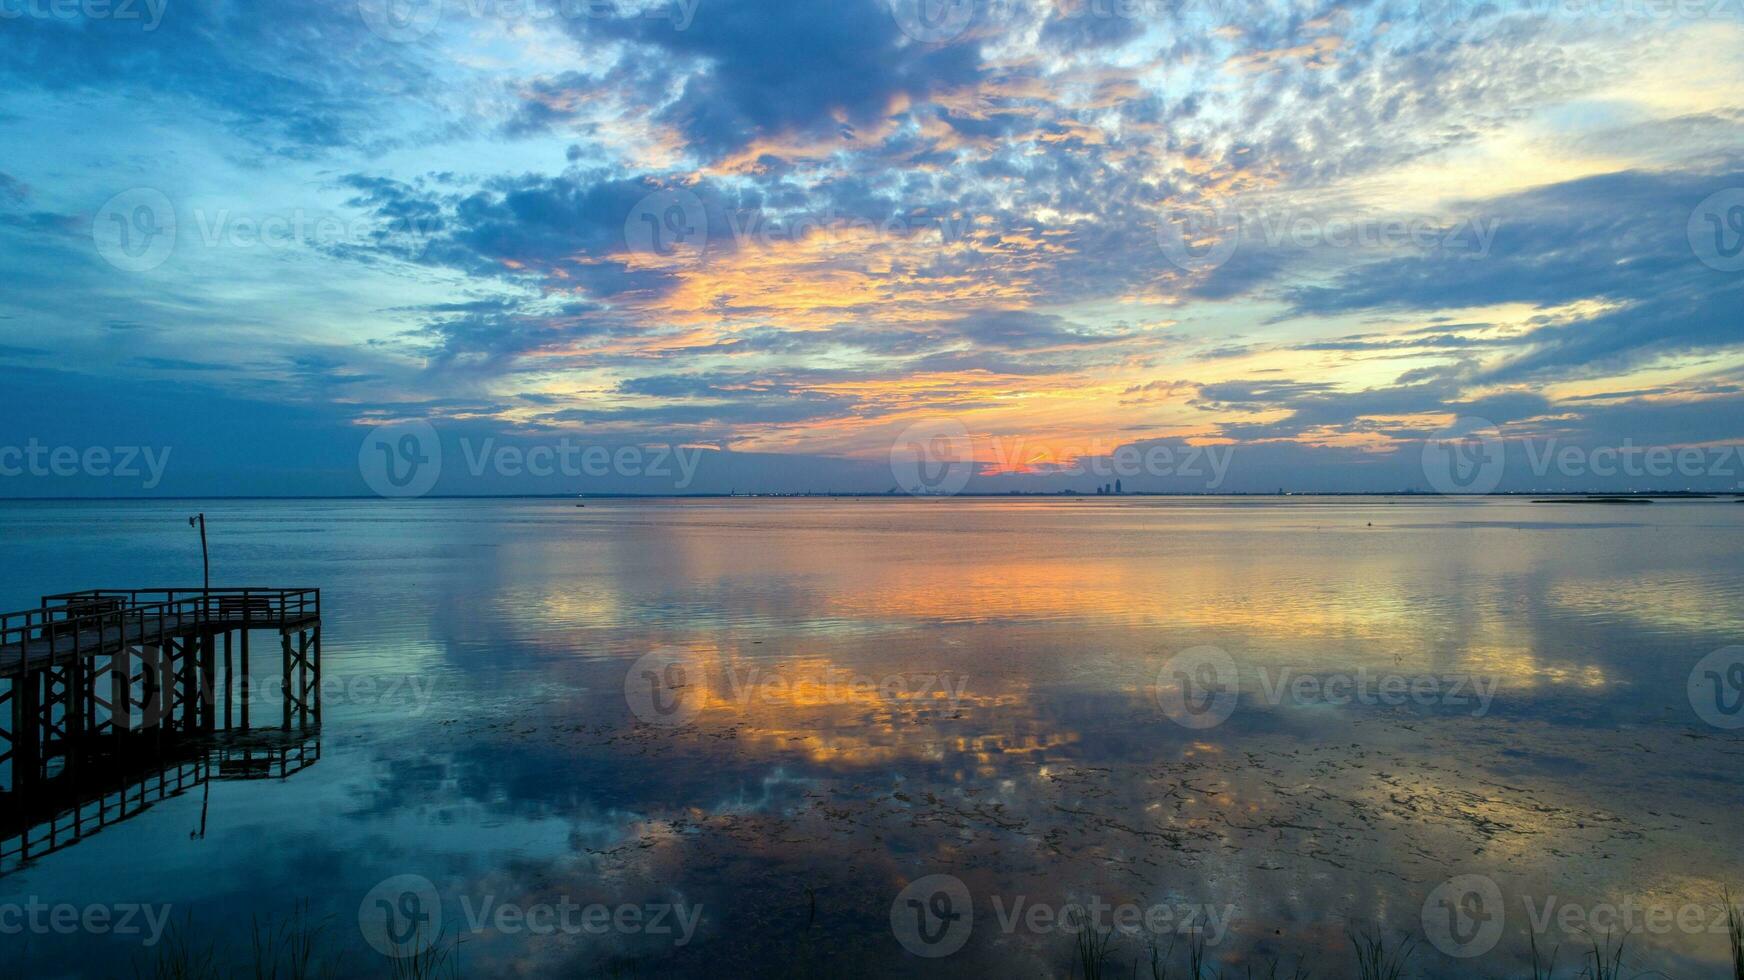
x,y
979,690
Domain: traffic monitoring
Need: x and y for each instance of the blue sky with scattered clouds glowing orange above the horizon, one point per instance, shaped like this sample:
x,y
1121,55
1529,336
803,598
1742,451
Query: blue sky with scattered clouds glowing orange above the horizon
x,y
800,233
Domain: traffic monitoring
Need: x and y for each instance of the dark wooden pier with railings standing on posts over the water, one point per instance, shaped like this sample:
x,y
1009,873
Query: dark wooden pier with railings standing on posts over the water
x,y
97,677
